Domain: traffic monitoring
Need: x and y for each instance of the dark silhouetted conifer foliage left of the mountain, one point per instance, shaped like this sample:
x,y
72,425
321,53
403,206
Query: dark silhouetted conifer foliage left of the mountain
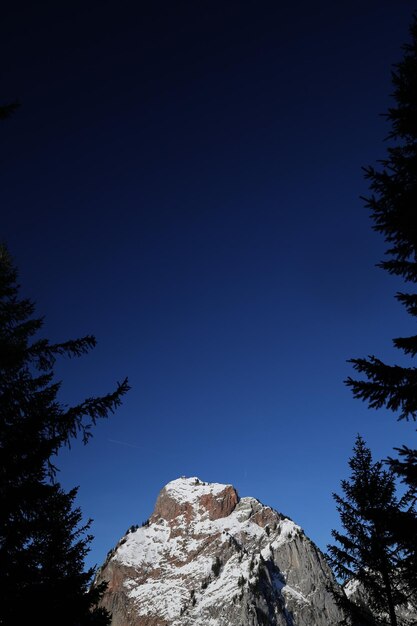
x,y
42,540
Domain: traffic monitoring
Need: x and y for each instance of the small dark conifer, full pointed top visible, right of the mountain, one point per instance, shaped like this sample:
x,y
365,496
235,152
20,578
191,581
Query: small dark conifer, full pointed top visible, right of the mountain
x,y
369,551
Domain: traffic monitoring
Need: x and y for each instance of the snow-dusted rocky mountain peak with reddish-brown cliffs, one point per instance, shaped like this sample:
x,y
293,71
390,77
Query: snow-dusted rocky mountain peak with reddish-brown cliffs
x,y
208,558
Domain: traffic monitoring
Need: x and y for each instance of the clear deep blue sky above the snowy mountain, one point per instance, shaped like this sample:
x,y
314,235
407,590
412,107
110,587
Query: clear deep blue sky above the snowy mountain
x,y
183,180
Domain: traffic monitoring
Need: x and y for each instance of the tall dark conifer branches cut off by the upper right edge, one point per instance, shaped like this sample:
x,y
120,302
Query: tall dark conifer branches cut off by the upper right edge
x,y
393,206
